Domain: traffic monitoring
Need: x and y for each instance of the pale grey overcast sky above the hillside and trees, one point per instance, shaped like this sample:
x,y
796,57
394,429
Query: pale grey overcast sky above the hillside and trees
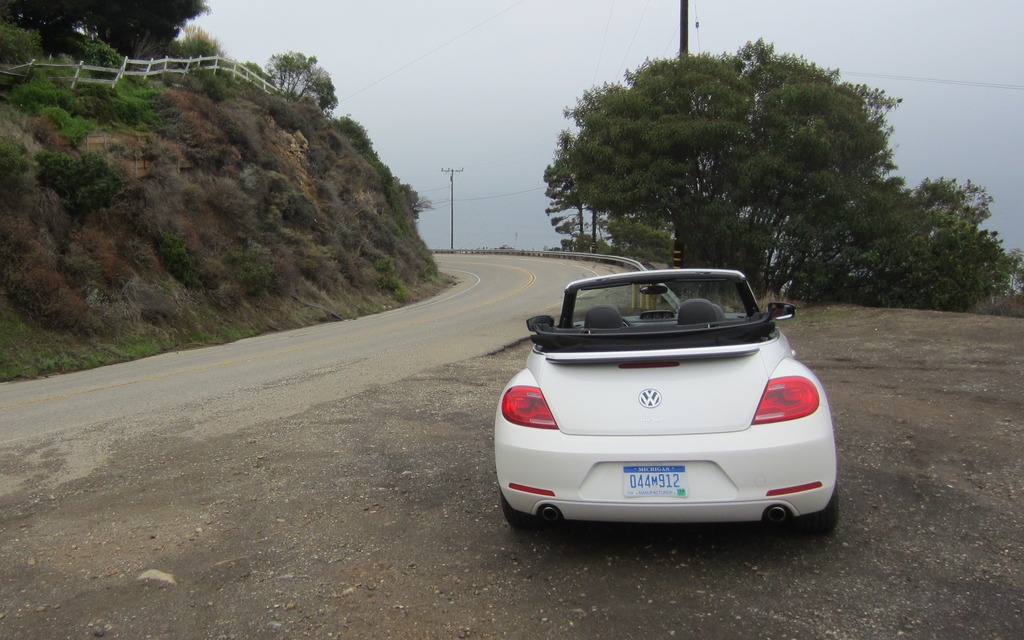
x,y
482,86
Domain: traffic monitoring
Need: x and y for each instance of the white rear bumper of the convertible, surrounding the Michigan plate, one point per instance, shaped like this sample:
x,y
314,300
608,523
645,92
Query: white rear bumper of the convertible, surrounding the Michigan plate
x,y
732,477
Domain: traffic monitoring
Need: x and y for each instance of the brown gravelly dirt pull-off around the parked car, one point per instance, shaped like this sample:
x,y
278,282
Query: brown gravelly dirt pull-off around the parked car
x,y
378,518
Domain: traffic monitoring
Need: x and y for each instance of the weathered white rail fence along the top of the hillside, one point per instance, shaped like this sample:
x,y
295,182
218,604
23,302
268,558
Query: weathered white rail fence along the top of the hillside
x,y
82,73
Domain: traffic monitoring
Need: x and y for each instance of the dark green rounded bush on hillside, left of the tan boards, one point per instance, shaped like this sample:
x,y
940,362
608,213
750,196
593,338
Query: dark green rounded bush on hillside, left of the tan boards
x,y
83,184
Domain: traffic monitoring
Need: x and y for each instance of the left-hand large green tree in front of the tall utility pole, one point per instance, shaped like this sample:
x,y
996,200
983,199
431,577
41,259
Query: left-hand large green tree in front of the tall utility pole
x,y
663,150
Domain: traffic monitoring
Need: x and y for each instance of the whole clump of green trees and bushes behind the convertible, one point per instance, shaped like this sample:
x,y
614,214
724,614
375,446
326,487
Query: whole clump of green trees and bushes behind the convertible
x,y
770,164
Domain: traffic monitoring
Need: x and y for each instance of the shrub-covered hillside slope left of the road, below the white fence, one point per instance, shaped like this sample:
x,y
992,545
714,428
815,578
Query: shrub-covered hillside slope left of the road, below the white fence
x,y
156,217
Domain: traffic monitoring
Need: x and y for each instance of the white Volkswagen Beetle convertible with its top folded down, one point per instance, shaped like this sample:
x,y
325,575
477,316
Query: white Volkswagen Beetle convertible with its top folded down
x,y
665,397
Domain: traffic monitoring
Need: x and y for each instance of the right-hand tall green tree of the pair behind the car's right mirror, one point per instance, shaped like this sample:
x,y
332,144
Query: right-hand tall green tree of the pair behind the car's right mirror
x,y
818,164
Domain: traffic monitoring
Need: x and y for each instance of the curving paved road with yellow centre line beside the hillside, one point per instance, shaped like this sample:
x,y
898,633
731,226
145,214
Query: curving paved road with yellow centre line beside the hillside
x,y
283,374
